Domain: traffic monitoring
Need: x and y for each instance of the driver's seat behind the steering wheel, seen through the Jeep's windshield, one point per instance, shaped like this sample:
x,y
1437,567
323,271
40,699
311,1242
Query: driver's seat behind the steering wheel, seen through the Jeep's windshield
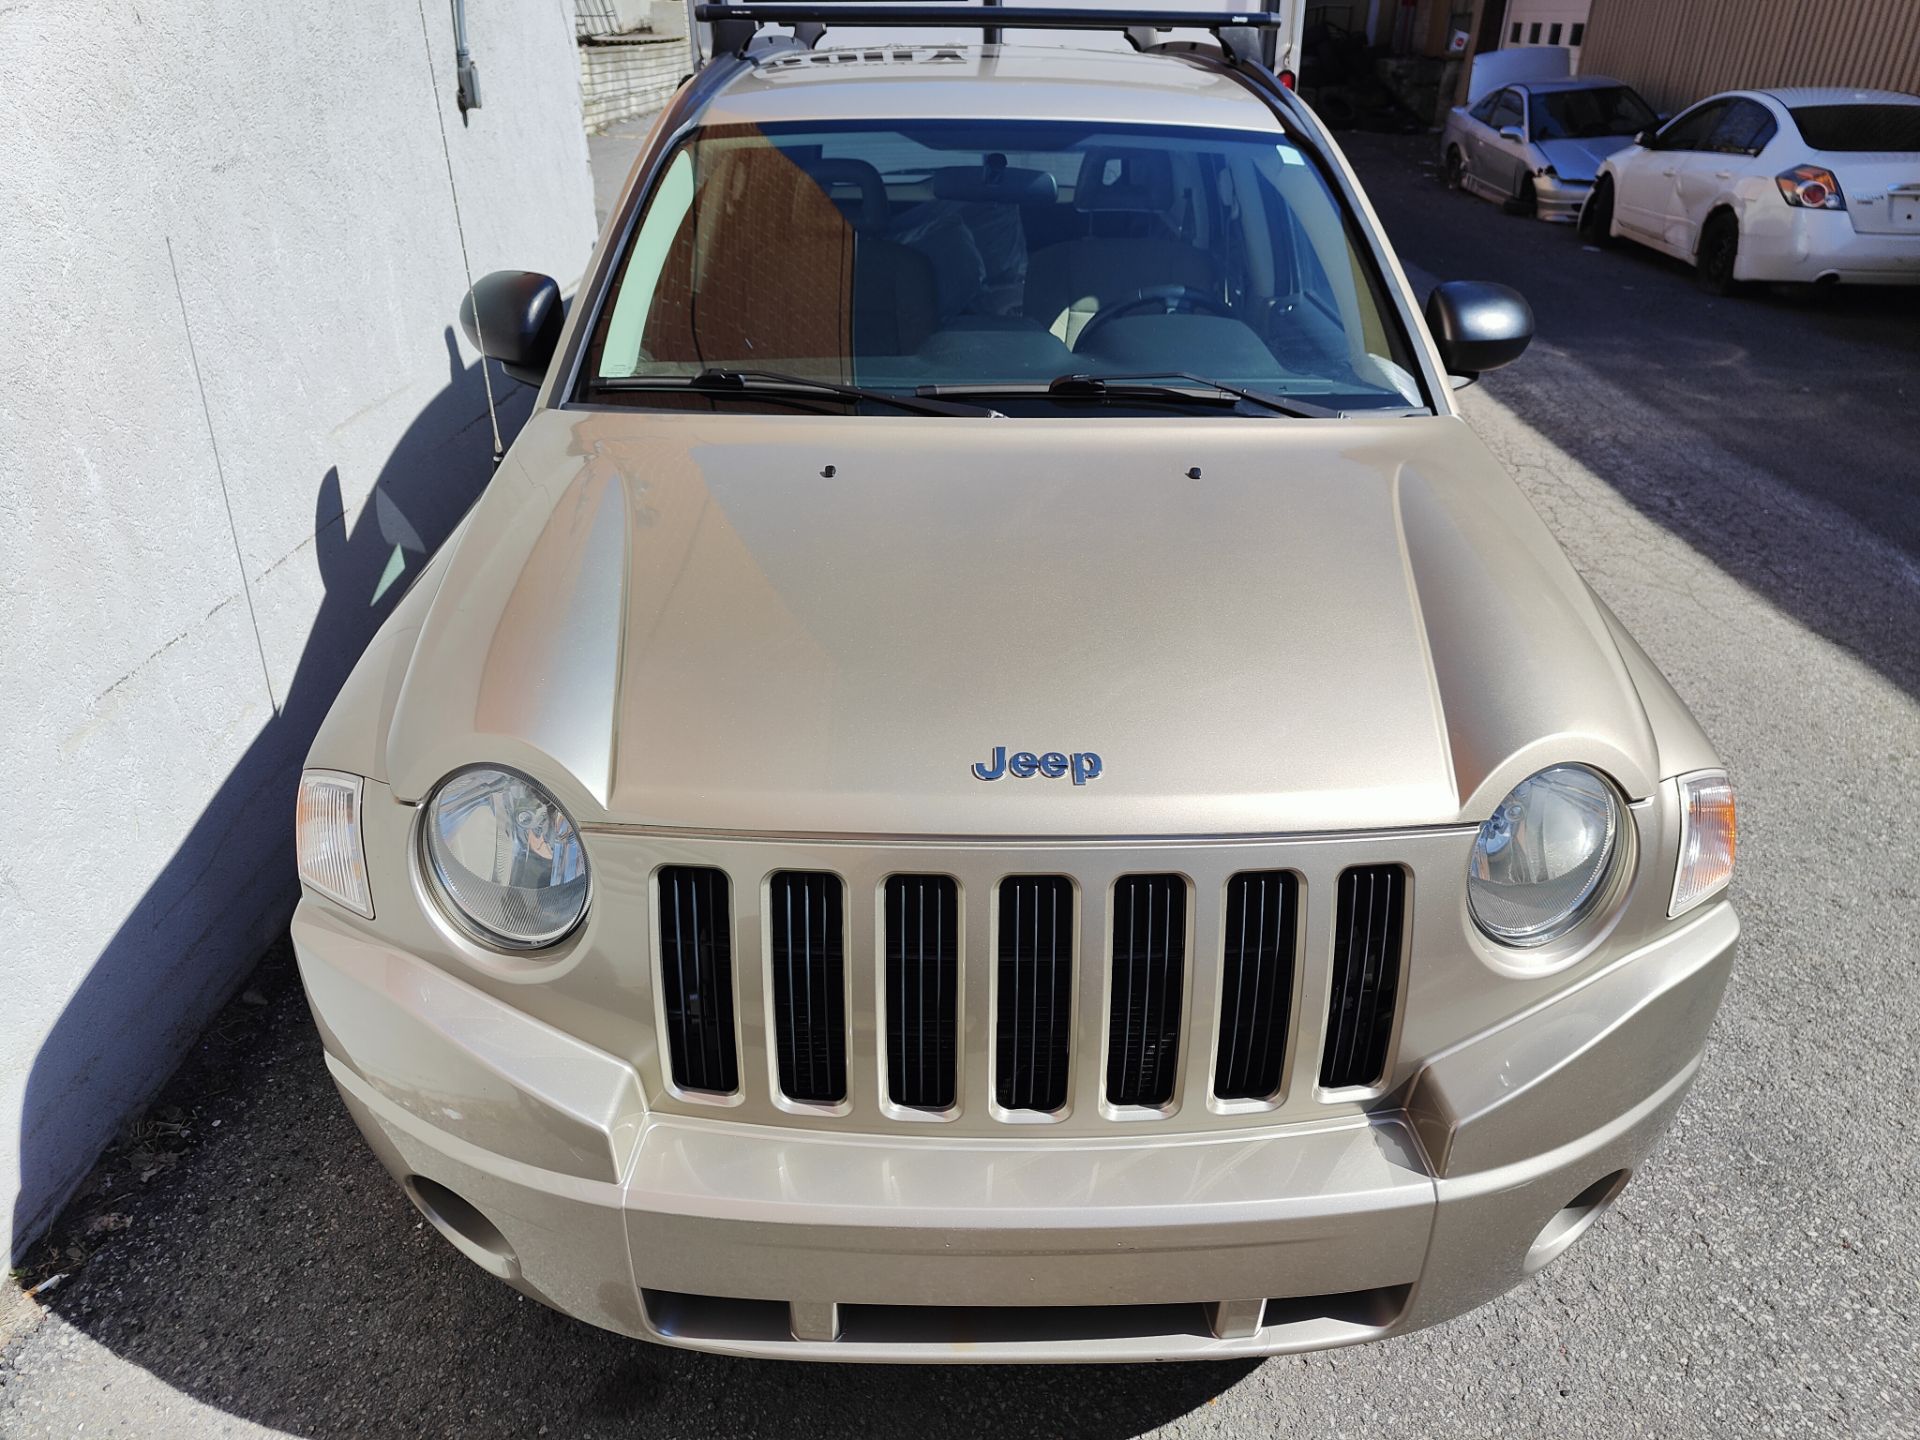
x,y
1126,199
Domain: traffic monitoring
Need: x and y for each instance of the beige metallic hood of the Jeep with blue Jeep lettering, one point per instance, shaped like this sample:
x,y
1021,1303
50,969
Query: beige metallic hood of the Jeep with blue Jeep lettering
x,y
825,625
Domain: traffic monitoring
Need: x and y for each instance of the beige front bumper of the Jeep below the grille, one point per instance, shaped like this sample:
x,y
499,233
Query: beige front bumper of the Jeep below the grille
x,y
539,1157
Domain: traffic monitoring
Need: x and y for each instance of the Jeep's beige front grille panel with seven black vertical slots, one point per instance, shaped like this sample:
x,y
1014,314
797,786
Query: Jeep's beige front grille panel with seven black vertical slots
x,y
1214,986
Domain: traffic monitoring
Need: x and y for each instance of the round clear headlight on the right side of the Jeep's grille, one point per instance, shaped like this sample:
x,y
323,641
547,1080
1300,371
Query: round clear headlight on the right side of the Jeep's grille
x,y
1541,863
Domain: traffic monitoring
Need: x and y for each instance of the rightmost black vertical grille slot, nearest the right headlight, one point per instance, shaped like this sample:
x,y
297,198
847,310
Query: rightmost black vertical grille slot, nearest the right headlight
x,y
1366,974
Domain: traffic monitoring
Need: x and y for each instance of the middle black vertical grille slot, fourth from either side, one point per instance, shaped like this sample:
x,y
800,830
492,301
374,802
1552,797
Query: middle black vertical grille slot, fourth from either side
x,y
1036,982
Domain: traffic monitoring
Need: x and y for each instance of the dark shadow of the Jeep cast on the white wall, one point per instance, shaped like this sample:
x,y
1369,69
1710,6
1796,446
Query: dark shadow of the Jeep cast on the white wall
x,y
229,888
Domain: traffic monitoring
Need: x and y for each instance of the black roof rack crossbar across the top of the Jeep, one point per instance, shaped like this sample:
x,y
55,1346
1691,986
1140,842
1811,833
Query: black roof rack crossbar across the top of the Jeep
x,y
736,22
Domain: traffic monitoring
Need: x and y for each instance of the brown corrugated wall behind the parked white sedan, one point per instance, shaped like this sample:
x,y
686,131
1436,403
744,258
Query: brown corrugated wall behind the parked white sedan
x,y
1683,51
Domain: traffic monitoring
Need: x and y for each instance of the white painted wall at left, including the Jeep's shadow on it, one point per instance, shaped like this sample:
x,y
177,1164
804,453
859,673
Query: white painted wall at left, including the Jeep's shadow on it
x,y
233,420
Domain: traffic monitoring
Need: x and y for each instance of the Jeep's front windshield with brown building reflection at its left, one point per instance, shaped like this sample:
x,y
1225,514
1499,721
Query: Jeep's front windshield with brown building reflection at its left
x,y
972,254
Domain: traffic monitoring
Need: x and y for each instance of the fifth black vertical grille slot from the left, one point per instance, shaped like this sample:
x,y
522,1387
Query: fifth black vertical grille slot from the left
x,y
1149,971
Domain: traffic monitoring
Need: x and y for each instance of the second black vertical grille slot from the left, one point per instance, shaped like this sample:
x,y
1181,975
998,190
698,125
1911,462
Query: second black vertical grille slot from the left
x,y
809,932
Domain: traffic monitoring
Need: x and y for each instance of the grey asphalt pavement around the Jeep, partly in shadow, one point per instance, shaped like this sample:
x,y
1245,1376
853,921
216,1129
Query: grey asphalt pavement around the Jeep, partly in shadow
x,y
1739,481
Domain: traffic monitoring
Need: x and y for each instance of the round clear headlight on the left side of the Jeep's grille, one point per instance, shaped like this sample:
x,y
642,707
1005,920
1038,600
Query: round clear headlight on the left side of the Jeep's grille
x,y
506,857
